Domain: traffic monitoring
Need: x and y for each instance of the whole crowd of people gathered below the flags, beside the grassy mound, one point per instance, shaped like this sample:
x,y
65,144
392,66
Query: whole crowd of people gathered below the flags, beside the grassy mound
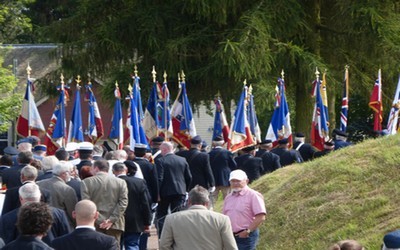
x,y
103,198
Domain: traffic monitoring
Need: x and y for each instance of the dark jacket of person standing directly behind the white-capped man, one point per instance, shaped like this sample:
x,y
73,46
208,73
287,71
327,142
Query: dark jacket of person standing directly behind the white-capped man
x,y
222,163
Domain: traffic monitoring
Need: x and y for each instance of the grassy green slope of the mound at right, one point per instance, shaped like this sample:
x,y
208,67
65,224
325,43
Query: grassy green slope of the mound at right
x,y
353,193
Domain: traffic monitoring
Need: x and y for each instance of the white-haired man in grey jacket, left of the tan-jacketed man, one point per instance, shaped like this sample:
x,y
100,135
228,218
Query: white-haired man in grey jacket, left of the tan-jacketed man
x,y
61,195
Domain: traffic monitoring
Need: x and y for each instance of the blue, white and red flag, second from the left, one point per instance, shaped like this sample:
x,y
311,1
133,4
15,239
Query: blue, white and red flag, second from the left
x,y
56,132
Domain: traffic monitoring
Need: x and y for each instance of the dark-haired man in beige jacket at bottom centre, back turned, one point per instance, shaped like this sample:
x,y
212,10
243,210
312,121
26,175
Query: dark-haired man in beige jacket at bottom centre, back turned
x,y
197,227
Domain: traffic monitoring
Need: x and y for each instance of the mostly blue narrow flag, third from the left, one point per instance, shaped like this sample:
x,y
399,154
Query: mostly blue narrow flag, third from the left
x,y
75,132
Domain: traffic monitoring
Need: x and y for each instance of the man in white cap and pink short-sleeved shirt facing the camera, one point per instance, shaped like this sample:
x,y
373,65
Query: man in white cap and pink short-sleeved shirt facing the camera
x,y
245,208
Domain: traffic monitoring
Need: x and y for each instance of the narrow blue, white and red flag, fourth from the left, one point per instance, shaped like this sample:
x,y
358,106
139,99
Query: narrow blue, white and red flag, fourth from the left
x,y
95,128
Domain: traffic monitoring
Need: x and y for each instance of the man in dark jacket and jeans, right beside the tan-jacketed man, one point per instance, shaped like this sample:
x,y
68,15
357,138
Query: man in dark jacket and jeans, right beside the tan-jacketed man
x,y
138,217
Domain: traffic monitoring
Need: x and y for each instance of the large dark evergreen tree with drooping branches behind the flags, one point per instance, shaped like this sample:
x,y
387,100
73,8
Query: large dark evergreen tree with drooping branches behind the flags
x,y
221,43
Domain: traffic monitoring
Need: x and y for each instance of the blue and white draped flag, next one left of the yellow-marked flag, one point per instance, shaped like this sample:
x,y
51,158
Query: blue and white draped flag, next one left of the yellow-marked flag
x,y
279,126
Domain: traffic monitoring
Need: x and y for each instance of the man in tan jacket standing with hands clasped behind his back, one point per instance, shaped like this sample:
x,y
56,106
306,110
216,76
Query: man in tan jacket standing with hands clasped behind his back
x,y
110,194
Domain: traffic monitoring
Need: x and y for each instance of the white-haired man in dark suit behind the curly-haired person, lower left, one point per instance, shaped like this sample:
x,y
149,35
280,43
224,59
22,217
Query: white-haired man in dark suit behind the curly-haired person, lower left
x,y
30,193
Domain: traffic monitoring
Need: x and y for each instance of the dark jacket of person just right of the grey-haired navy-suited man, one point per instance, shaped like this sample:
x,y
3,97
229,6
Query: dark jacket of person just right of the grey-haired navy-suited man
x,y
199,164
